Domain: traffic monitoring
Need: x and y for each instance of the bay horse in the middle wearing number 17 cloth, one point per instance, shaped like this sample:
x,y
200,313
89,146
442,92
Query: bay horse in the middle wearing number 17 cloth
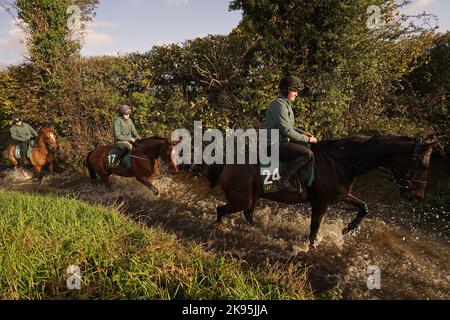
x,y
144,162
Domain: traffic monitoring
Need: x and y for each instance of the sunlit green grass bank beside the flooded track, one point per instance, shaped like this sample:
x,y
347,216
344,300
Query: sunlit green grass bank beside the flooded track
x,y
41,236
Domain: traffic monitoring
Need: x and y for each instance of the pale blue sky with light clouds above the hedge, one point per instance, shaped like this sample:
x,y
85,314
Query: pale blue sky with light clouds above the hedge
x,y
122,26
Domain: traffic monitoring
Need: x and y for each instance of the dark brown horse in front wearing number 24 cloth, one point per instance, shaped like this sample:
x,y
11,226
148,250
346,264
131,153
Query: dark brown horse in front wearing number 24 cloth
x,y
337,164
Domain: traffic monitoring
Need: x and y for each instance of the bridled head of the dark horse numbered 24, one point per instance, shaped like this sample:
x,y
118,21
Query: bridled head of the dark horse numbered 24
x,y
411,169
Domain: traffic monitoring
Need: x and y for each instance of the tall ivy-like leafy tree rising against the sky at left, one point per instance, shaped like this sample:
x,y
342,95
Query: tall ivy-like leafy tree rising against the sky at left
x,y
51,46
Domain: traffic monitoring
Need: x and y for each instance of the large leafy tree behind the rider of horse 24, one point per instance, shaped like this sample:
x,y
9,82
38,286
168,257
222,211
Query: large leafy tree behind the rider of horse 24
x,y
347,68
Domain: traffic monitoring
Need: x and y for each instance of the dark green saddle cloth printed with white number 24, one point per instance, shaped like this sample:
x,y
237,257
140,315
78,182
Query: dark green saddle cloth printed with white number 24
x,y
270,176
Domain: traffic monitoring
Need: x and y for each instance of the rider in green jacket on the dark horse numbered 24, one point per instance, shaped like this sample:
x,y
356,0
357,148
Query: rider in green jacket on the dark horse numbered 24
x,y
294,142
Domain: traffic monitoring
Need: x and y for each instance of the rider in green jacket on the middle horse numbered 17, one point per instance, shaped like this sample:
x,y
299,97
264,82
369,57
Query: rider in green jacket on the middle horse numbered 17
x,y
124,133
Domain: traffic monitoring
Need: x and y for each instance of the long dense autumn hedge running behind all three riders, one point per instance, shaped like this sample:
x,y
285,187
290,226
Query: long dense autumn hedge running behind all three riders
x,y
356,79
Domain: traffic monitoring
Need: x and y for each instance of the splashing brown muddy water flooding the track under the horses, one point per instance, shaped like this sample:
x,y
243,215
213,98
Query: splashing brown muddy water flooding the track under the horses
x,y
413,256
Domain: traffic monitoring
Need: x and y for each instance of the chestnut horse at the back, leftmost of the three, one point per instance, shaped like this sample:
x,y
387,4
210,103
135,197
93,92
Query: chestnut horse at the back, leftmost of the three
x,y
42,152
